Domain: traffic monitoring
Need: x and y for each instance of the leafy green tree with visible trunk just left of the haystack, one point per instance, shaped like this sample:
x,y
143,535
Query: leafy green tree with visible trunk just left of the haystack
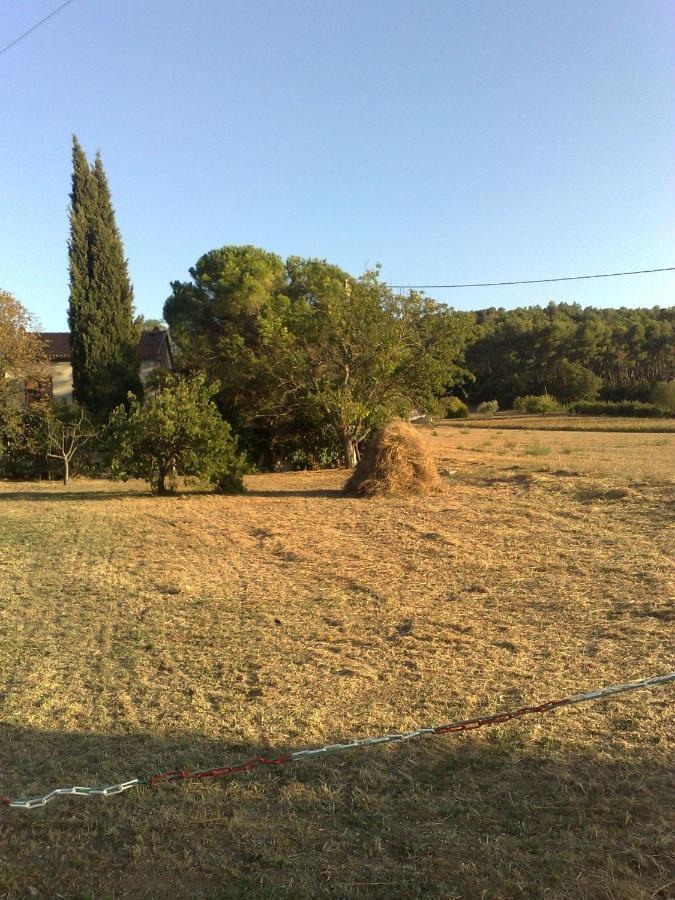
x,y
363,353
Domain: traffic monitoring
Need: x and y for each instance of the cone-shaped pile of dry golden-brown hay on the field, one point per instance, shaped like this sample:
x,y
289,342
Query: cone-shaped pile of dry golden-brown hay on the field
x,y
396,461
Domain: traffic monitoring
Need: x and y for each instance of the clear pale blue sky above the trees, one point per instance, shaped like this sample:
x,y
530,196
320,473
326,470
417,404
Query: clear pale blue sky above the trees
x,y
449,141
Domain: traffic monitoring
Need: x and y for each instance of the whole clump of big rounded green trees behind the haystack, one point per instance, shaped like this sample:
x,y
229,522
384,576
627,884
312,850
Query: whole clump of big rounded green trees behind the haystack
x,y
308,357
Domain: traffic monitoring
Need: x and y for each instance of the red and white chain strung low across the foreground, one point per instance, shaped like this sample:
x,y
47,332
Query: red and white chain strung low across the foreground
x,y
262,762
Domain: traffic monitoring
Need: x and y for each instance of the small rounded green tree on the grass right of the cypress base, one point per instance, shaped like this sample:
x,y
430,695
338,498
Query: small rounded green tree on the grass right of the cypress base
x,y
176,431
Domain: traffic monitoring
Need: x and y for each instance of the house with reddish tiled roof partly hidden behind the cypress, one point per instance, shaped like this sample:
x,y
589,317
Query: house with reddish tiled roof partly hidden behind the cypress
x,y
154,350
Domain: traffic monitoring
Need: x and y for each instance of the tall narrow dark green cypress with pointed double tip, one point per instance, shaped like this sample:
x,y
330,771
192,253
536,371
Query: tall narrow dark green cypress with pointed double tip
x,y
104,340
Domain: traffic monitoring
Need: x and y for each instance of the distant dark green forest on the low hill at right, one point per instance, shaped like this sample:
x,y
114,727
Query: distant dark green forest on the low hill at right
x,y
570,352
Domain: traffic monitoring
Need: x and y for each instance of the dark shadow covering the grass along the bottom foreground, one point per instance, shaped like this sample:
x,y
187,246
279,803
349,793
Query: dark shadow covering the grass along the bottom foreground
x,y
445,817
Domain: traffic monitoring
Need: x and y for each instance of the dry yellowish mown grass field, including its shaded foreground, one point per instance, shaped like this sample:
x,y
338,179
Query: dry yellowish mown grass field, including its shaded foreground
x,y
139,634
